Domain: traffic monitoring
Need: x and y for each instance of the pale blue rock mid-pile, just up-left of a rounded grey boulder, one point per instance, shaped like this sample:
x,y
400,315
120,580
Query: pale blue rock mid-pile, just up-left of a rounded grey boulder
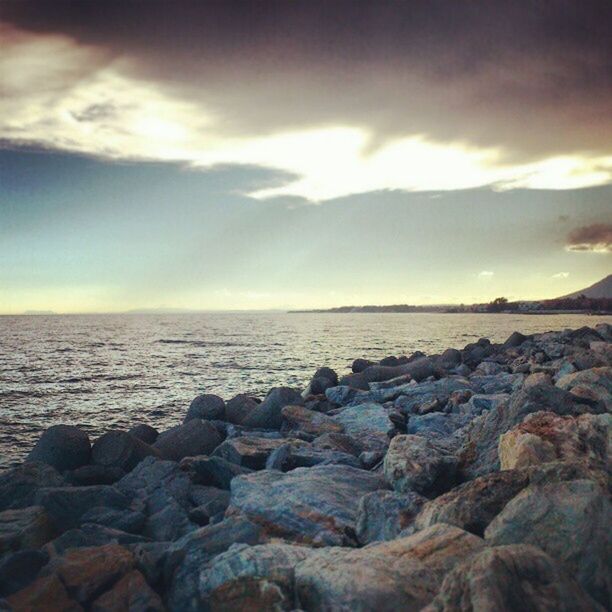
x,y
368,423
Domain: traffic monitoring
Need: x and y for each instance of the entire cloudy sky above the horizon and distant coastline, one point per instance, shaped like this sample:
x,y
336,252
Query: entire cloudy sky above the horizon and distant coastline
x,y
302,153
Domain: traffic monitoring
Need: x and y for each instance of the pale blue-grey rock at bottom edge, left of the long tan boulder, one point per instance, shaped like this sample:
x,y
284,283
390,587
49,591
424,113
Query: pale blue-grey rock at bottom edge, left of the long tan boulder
x,y
252,577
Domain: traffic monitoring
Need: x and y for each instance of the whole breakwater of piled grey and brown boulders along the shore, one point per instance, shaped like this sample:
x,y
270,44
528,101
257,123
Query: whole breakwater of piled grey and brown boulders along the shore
x,y
477,479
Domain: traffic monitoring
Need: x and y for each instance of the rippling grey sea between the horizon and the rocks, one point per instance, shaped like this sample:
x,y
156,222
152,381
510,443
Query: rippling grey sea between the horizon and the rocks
x,y
114,371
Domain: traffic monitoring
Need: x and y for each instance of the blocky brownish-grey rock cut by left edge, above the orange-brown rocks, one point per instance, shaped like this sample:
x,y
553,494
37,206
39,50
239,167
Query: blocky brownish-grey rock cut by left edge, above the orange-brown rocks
x,y
24,528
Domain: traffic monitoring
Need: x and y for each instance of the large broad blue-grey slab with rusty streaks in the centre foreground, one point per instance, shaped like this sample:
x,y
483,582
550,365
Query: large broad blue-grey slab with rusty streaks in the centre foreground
x,y
315,505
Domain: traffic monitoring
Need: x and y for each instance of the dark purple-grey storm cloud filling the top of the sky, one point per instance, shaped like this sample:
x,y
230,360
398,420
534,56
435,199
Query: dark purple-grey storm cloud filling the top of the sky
x,y
532,77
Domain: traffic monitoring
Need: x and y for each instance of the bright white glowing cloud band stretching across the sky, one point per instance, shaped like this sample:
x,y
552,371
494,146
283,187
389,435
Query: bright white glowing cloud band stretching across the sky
x,y
92,106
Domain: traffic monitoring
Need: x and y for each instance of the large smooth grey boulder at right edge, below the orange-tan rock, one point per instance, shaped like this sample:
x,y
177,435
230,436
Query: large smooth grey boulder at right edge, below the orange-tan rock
x,y
568,520
